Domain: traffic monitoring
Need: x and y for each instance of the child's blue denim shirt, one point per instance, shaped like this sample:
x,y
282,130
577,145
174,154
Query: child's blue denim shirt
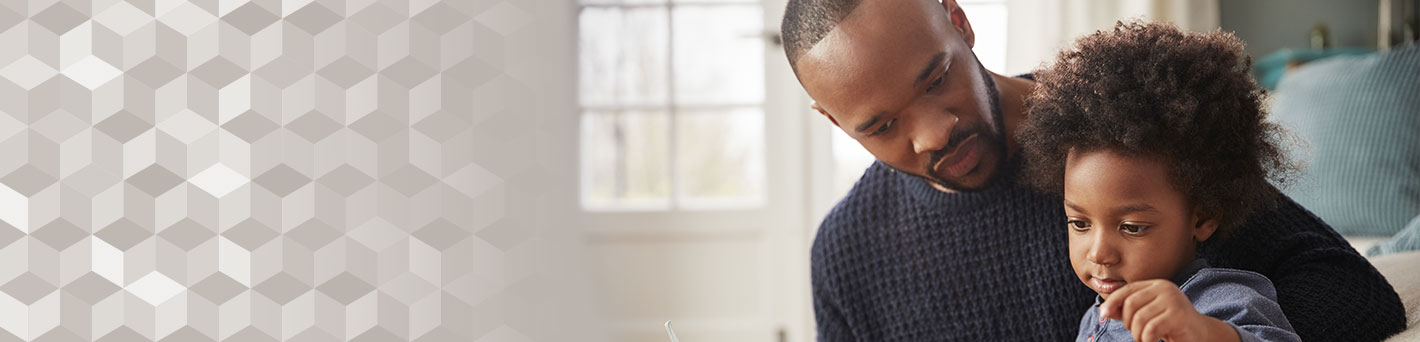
x,y
1242,299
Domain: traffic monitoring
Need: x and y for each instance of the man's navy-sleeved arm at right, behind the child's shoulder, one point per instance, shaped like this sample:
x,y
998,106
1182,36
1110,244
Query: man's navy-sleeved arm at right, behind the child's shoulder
x,y
1327,290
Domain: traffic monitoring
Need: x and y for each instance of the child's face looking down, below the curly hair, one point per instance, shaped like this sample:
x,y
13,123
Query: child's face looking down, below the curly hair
x,y
1127,222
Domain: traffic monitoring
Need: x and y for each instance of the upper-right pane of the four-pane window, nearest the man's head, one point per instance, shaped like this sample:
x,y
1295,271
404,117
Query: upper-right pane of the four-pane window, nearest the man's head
x,y
719,55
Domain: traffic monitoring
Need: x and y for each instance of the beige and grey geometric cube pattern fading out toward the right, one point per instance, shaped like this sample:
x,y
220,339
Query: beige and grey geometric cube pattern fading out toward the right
x,y
245,171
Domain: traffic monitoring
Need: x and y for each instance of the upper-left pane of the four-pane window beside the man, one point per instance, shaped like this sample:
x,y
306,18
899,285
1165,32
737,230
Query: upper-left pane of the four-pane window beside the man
x,y
624,56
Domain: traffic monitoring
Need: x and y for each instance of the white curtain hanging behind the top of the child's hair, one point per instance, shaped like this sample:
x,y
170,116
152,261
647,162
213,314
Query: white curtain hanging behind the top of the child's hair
x,y
1039,29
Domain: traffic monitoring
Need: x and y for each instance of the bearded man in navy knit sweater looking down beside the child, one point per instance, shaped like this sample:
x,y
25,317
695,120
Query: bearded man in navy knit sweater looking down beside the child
x,y
939,242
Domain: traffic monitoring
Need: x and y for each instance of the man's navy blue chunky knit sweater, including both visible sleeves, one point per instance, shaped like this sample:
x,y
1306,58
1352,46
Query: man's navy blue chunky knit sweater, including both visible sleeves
x,y
898,260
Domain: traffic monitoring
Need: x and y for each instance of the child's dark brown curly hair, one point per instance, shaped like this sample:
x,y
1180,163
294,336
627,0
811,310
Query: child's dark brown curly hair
x,y
1151,90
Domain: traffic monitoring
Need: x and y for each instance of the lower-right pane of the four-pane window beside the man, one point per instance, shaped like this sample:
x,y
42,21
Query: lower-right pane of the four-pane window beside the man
x,y
721,157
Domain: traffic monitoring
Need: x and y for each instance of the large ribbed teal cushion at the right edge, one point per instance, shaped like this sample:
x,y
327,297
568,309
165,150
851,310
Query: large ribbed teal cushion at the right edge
x,y
1360,121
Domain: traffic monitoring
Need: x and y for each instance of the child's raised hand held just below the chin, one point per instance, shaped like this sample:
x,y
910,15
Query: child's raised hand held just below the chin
x,y
1157,310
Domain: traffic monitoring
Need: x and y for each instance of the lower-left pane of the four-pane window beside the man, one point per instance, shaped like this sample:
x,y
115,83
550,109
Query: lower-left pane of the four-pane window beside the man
x,y
626,160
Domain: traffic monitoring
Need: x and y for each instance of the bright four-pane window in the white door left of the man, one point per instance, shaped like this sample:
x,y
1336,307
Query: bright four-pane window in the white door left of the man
x,y
672,104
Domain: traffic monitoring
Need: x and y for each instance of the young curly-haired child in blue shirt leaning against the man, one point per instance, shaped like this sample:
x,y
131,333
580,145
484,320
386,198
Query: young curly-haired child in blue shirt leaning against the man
x,y
1157,140
